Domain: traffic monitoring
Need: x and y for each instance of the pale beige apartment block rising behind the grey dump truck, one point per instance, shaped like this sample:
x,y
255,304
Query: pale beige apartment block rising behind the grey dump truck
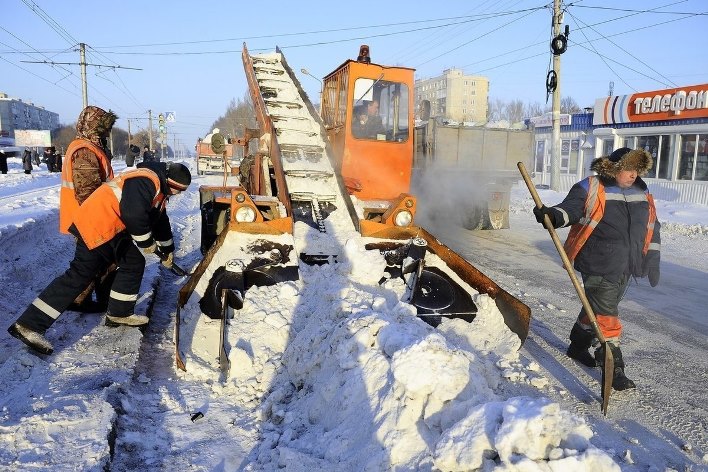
x,y
454,96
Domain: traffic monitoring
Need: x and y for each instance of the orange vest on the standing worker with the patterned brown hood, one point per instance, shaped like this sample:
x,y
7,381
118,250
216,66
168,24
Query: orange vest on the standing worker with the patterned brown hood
x,y
67,195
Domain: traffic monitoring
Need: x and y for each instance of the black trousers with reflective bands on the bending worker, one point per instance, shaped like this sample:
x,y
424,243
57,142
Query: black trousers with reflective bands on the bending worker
x,y
59,294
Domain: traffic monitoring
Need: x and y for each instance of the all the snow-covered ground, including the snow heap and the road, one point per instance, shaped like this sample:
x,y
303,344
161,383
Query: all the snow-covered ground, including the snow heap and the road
x,y
332,373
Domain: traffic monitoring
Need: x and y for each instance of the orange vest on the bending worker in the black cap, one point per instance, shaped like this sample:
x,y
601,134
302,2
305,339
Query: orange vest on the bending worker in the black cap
x,y
99,219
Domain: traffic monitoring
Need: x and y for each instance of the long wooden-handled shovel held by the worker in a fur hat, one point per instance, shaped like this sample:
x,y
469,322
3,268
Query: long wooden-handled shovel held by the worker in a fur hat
x,y
609,363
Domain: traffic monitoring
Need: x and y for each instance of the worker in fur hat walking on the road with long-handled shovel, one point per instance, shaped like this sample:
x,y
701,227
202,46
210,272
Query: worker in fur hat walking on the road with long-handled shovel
x,y
614,236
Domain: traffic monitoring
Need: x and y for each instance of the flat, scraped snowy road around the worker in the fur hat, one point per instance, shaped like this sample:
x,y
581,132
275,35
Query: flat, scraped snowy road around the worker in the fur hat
x,y
665,340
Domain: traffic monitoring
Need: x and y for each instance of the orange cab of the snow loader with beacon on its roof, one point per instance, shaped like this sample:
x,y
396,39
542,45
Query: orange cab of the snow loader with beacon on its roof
x,y
367,111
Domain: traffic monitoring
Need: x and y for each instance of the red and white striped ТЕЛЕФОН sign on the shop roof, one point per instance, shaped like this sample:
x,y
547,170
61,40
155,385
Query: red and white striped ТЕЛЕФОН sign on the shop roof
x,y
660,105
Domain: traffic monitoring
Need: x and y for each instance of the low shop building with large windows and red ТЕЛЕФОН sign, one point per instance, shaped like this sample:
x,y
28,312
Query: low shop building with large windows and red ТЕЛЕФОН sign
x,y
671,124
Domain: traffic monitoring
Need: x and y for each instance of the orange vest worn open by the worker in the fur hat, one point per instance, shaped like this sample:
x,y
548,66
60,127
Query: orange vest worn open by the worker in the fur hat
x,y
594,210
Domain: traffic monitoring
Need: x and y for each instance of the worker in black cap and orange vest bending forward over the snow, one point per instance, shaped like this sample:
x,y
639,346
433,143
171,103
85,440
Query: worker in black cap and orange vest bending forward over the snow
x,y
122,216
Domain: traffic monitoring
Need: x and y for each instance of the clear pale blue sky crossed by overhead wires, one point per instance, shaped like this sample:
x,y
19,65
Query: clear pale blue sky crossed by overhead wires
x,y
189,53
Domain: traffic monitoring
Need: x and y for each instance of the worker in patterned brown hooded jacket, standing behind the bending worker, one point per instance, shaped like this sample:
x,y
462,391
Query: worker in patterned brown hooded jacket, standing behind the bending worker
x,y
87,165
